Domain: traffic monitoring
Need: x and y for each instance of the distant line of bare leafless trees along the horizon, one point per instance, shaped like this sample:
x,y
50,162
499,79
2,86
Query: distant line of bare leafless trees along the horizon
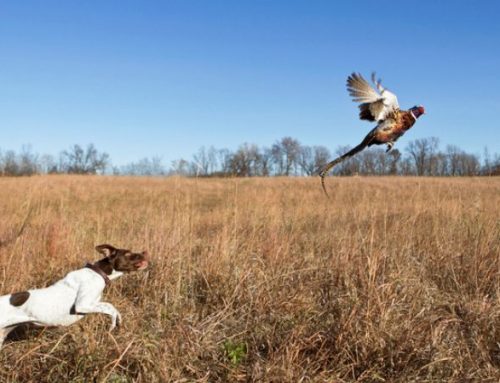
x,y
286,157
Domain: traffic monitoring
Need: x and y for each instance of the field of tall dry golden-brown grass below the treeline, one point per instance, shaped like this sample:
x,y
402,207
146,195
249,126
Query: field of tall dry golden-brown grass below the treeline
x,y
392,279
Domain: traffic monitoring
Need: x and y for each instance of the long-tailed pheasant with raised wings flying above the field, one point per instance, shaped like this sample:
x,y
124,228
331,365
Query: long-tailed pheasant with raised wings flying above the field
x,y
376,104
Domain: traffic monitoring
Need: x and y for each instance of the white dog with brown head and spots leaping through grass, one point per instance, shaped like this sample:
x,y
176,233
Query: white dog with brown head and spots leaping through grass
x,y
69,299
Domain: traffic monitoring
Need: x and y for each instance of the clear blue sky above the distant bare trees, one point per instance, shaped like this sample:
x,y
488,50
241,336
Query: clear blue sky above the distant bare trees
x,y
143,78
